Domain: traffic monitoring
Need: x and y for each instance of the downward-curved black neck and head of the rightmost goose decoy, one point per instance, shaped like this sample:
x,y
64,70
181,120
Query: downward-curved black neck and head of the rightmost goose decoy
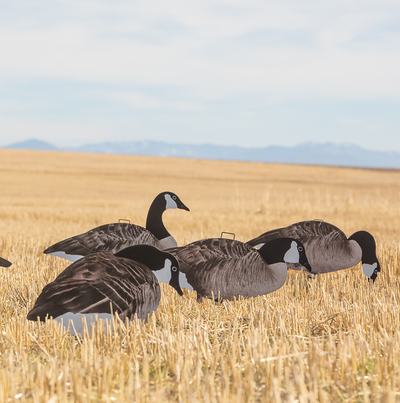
x,y
369,261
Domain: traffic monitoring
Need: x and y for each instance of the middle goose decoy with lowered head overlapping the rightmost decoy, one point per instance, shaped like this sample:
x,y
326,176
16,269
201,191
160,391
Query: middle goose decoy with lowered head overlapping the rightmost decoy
x,y
225,268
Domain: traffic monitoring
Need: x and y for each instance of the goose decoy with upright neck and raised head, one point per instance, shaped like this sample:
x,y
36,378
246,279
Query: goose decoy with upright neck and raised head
x,y
117,236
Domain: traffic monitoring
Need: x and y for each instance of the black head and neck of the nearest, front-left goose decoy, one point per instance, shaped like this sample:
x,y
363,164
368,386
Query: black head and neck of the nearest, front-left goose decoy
x,y
164,265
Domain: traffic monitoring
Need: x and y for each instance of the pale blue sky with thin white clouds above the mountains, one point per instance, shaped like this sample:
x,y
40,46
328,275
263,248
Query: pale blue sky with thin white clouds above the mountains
x,y
238,72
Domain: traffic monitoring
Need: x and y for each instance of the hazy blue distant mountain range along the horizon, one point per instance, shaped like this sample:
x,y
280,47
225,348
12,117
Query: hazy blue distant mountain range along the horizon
x,y
305,153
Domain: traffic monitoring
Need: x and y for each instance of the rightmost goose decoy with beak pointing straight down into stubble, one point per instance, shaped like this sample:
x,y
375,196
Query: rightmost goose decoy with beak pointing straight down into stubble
x,y
327,247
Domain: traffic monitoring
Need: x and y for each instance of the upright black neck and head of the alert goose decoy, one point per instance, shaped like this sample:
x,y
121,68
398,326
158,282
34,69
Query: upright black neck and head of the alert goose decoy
x,y
162,202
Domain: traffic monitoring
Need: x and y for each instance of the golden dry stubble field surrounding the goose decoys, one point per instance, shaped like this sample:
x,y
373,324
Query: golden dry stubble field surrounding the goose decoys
x,y
333,339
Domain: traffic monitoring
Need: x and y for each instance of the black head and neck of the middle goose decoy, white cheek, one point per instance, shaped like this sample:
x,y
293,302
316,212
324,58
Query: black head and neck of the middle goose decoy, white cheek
x,y
287,250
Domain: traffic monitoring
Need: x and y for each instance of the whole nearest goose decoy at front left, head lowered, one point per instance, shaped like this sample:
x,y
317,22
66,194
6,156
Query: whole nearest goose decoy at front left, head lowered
x,y
104,283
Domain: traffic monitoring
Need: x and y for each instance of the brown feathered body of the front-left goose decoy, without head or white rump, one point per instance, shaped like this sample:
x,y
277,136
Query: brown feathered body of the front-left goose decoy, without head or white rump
x,y
88,286
